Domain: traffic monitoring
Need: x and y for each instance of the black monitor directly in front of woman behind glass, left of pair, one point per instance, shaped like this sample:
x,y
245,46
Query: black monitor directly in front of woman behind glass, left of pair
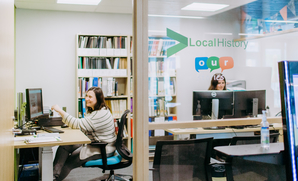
x,y
202,103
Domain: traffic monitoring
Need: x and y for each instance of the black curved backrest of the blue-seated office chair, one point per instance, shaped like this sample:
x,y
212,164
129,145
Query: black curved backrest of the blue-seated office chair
x,y
120,146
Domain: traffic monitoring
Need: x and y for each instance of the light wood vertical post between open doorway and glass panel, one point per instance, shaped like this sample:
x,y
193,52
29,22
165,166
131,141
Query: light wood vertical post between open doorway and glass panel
x,y
140,91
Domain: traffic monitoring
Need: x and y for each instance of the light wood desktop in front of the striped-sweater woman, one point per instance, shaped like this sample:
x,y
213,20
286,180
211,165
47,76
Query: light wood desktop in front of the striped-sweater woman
x,y
69,137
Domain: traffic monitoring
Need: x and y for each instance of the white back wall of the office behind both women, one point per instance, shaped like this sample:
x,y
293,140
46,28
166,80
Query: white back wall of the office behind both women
x,y
45,53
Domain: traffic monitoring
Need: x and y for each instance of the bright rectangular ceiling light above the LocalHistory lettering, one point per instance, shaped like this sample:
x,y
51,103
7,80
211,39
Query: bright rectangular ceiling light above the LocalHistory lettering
x,y
204,7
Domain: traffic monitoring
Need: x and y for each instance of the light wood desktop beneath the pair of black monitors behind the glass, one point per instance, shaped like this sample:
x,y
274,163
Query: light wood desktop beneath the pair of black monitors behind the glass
x,y
276,126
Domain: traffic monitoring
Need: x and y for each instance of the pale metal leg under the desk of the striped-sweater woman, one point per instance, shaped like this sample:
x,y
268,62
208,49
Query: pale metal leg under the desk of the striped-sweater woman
x,y
46,163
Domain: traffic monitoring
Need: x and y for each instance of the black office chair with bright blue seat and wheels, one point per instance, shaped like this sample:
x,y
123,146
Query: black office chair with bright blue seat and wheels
x,y
122,159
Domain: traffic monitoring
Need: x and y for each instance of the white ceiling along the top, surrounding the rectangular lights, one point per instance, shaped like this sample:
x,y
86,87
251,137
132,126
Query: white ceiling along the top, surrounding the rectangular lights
x,y
159,7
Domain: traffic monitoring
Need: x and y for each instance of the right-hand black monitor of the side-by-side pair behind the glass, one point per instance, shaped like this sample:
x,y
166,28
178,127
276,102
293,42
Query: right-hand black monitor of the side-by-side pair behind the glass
x,y
249,103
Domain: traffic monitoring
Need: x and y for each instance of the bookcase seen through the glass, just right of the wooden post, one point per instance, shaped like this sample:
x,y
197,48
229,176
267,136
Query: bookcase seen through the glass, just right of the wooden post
x,y
162,83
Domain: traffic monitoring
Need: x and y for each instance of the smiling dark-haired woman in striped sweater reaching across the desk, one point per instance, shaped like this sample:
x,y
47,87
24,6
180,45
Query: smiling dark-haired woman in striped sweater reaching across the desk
x,y
97,124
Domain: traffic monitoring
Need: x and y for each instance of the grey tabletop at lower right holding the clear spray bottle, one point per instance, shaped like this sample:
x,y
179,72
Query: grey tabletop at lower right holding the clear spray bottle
x,y
249,150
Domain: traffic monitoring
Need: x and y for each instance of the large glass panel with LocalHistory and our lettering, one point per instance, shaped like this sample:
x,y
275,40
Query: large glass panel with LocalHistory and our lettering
x,y
235,42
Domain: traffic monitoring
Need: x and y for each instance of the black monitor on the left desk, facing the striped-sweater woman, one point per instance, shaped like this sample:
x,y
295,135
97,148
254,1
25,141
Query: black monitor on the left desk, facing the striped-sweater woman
x,y
34,107
